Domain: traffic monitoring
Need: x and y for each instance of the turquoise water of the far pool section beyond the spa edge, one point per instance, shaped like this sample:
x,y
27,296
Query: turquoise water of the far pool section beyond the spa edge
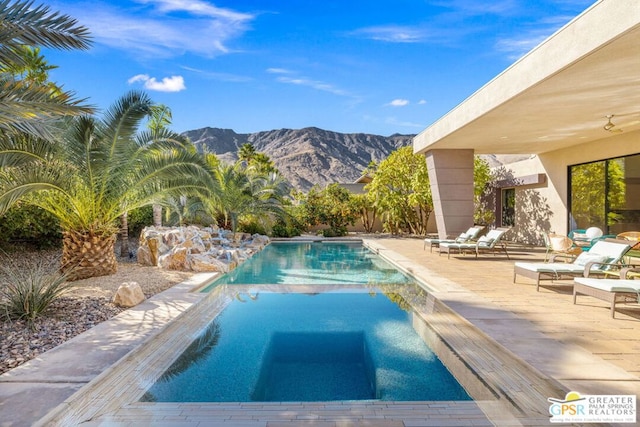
x,y
314,263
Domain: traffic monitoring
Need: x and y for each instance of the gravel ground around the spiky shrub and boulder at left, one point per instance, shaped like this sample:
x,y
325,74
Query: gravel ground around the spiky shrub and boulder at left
x,y
82,308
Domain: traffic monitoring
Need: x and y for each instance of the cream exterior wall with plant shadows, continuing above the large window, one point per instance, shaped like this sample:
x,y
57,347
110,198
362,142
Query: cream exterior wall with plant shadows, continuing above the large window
x,y
545,207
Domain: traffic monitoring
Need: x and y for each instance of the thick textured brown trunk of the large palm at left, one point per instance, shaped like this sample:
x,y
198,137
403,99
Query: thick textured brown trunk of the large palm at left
x,y
85,254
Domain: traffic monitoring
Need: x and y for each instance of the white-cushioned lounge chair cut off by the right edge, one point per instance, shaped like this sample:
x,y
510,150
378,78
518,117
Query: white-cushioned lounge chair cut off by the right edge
x,y
610,290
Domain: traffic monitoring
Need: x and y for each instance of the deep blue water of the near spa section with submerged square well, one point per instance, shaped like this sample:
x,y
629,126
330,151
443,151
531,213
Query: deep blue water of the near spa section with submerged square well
x,y
347,344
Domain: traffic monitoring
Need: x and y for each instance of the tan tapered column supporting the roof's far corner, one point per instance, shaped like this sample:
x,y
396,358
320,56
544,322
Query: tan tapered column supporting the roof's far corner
x,y
451,180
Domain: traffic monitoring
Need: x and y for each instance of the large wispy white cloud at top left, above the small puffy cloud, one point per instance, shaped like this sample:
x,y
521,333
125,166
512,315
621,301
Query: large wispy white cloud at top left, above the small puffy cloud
x,y
163,28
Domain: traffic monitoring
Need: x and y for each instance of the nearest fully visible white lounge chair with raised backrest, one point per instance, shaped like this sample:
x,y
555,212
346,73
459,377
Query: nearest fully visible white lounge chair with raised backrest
x,y
601,257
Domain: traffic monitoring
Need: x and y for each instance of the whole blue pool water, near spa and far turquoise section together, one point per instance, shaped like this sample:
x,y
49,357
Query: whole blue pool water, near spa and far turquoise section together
x,y
312,322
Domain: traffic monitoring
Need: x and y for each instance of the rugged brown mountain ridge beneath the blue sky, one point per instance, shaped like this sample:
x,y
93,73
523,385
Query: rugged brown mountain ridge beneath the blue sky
x,y
305,156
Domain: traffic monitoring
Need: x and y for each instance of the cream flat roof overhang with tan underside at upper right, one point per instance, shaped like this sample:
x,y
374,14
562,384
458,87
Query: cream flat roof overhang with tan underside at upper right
x,y
556,96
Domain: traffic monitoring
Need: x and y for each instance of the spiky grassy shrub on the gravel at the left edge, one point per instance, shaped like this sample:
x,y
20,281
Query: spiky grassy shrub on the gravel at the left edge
x,y
27,291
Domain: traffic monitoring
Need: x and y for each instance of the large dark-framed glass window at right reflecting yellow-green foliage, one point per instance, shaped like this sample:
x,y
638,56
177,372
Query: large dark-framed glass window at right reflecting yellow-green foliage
x,y
606,194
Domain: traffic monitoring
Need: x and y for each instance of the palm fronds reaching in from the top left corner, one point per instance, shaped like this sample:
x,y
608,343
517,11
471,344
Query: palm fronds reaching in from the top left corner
x,y
24,106
